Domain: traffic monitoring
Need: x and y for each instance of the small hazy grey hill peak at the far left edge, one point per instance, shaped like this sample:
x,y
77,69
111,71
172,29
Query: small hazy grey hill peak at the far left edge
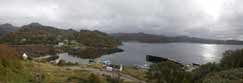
x,y
7,28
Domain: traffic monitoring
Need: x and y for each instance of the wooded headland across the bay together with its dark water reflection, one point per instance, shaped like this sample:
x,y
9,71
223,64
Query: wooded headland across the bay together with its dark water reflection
x,y
80,43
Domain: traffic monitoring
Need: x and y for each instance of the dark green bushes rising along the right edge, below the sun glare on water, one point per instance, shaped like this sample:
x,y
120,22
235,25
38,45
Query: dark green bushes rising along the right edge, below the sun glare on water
x,y
231,60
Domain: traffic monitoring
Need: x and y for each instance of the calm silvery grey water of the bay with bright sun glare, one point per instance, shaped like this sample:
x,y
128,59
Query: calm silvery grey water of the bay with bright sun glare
x,y
185,53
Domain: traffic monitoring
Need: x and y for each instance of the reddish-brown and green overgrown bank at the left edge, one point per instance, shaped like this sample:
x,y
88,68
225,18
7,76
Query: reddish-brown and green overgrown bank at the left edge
x,y
11,67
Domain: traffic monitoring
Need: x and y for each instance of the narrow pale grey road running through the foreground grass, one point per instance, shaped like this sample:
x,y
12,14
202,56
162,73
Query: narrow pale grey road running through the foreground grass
x,y
125,77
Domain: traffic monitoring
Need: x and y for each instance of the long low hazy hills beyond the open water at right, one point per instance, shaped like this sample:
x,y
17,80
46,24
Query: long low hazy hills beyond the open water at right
x,y
151,38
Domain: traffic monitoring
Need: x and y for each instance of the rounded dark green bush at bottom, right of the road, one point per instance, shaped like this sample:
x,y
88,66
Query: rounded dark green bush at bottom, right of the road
x,y
167,72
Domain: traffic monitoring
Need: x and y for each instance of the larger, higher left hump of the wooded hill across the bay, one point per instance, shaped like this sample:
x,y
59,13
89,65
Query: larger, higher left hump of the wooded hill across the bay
x,y
35,33
